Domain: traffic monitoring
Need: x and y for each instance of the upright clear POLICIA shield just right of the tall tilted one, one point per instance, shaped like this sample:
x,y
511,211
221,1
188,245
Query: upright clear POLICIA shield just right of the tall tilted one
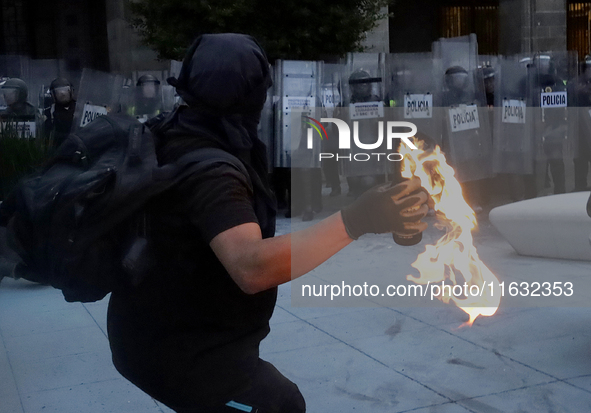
x,y
513,151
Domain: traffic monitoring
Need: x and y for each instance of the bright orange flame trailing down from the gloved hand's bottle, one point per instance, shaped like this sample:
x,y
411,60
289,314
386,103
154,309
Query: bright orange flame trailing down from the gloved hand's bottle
x,y
453,260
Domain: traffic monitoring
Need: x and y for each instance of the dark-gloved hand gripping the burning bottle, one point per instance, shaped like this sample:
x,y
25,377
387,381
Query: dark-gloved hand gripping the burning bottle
x,y
388,208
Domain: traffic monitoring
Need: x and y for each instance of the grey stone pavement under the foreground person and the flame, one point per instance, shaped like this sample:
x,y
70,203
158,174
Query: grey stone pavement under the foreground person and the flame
x,y
54,356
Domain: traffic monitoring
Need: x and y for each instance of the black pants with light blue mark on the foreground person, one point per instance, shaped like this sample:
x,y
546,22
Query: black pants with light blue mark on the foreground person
x,y
270,392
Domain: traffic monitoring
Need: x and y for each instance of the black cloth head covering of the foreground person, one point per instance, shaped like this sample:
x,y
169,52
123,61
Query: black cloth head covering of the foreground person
x,y
224,81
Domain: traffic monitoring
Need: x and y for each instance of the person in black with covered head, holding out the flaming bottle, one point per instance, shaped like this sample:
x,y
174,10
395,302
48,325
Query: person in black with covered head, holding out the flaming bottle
x,y
189,334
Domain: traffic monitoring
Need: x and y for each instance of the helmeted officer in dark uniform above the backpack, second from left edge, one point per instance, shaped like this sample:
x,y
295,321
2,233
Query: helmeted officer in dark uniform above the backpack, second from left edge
x,y
59,116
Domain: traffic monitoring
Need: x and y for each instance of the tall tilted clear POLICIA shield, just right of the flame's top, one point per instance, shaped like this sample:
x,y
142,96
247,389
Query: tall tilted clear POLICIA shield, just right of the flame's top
x,y
467,138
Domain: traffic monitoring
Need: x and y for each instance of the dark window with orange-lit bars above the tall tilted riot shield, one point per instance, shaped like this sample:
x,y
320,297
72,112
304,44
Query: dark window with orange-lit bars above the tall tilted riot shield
x,y
460,18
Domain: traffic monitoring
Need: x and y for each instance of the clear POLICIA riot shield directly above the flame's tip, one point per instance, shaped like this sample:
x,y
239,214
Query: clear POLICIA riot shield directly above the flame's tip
x,y
414,92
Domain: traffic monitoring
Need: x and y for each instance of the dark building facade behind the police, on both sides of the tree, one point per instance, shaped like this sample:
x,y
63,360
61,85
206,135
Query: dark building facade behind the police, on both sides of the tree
x,y
96,34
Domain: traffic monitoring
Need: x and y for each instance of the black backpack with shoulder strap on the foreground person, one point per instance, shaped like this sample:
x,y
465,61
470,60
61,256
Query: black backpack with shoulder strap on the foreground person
x,y
79,225
